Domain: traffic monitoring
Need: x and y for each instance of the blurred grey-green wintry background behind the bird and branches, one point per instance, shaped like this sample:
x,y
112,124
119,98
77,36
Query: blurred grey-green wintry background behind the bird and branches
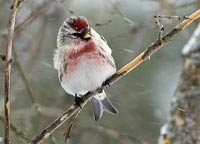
x,y
142,97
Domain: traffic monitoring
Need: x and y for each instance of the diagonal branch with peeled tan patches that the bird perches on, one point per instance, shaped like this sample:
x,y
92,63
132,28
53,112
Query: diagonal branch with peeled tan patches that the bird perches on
x,y
118,75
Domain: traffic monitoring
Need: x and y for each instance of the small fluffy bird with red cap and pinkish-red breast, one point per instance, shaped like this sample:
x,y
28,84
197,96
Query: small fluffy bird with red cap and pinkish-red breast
x,y
84,62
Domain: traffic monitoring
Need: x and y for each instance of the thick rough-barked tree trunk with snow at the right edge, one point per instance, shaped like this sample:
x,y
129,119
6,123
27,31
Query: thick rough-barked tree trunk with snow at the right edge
x,y
183,126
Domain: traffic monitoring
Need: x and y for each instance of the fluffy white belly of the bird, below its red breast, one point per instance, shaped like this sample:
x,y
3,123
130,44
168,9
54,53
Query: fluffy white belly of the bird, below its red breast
x,y
87,76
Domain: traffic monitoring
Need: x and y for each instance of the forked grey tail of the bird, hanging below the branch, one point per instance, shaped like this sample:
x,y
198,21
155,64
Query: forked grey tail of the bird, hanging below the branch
x,y
100,103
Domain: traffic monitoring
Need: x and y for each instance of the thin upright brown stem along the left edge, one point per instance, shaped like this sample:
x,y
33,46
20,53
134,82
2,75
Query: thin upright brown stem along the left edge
x,y
13,12
